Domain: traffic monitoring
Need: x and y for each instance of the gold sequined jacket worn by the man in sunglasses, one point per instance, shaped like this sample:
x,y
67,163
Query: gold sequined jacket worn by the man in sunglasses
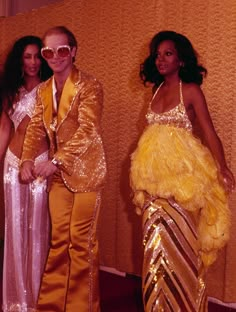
x,y
76,141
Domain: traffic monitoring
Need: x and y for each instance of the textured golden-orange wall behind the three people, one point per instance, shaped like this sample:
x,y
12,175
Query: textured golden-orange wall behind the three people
x,y
113,40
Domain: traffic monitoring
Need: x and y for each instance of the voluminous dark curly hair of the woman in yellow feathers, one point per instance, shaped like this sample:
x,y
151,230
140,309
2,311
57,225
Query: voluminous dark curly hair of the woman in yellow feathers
x,y
190,72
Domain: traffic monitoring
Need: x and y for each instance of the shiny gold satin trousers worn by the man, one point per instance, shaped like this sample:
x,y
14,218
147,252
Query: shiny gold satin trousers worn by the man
x,y
70,280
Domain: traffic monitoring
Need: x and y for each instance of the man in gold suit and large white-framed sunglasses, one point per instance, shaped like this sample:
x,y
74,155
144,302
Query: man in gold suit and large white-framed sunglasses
x,y
68,112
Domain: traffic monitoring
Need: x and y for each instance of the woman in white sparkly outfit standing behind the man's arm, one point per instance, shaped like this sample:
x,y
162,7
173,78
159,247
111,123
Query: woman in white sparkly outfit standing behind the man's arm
x,y
26,213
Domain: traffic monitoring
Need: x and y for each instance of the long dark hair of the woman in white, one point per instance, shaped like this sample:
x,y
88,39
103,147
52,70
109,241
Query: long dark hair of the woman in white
x,y
12,78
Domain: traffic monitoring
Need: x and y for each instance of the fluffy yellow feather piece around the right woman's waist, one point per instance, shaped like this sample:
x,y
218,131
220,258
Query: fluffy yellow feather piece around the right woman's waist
x,y
170,162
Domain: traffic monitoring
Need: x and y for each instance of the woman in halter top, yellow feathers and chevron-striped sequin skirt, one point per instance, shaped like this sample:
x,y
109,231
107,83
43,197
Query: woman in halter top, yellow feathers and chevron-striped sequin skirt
x,y
180,184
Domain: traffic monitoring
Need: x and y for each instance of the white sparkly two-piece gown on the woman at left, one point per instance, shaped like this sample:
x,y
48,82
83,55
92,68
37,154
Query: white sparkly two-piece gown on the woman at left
x,y
26,226
